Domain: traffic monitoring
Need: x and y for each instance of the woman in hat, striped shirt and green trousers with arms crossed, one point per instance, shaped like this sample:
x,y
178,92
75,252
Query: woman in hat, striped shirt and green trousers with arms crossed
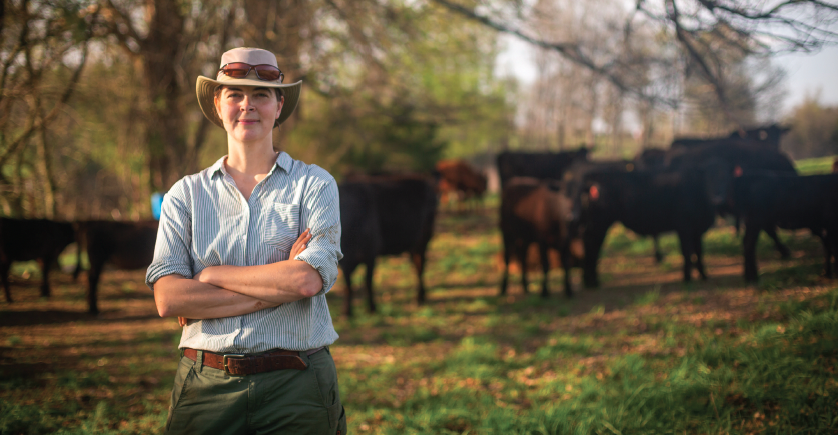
x,y
232,257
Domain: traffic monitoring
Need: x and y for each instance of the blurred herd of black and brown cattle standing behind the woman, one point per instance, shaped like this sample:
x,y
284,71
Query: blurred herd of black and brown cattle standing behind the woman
x,y
556,201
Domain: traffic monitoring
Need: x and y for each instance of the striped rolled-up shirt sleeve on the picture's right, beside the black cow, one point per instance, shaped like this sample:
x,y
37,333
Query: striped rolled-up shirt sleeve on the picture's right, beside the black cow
x,y
321,213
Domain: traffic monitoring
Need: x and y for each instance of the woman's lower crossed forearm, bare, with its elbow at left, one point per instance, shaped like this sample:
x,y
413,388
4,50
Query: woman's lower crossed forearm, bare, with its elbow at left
x,y
177,296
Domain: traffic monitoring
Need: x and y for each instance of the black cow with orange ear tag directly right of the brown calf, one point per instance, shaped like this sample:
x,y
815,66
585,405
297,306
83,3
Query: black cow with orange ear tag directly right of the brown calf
x,y
648,203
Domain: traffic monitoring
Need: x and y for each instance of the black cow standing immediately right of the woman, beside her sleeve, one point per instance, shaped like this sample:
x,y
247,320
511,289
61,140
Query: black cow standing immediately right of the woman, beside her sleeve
x,y
385,215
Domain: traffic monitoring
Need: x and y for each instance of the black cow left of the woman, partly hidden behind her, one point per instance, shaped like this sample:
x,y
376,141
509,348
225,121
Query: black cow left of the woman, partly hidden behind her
x,y
124,245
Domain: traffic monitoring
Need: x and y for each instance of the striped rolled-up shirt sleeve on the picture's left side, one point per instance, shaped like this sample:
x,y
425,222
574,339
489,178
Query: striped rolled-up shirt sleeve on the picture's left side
x,y
174,236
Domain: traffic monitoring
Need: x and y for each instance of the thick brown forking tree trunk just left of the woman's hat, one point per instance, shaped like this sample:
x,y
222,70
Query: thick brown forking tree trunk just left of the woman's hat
x,y
171,40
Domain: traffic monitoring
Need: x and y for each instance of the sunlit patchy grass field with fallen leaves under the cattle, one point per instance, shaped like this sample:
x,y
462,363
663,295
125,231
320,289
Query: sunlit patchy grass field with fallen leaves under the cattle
x,y
643,354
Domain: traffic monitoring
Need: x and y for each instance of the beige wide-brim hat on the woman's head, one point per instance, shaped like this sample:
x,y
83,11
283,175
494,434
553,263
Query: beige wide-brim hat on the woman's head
x,y
205,86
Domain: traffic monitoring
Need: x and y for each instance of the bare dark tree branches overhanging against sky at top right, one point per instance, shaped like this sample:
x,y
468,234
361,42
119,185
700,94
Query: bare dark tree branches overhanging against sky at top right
x,y
702,30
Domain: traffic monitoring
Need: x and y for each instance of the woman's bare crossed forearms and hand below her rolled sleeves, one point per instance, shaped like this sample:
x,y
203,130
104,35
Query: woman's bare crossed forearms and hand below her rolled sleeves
x,y
224,291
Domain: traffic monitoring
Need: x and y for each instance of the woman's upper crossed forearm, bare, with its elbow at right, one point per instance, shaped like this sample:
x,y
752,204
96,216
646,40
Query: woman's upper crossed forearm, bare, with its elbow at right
x,y
279,283
